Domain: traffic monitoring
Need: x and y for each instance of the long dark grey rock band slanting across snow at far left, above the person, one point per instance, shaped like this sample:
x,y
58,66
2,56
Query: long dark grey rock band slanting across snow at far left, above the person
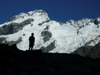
x,y
14,27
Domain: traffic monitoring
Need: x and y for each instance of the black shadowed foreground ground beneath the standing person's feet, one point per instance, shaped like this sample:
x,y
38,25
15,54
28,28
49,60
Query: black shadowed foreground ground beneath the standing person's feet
x,y
16,62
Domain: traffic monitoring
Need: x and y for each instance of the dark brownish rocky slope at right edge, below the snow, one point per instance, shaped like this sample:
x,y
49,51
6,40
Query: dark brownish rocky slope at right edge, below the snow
x,y
89,51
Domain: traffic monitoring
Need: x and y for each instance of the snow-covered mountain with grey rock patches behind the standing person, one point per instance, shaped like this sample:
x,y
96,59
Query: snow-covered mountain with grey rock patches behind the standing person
x,y
50,36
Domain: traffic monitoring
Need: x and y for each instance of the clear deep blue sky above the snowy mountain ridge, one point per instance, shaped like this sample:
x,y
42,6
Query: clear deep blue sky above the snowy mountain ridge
x,y
58,10
